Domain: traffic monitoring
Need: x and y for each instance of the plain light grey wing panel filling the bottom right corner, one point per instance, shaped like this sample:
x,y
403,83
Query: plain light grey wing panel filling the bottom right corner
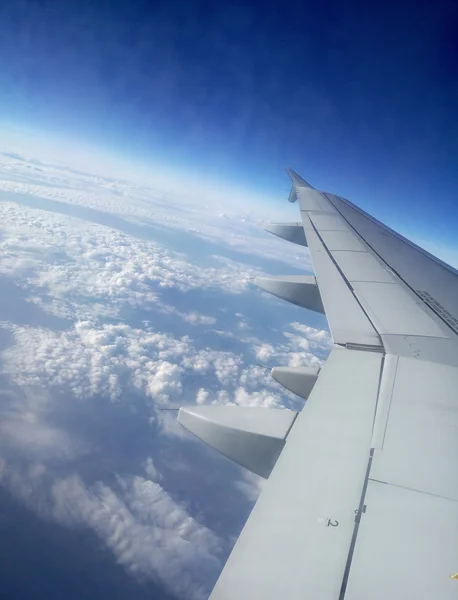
x,y
407,547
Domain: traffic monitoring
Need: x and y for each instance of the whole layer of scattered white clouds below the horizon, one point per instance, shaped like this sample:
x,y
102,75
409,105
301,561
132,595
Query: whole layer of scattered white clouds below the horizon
x,y
132,279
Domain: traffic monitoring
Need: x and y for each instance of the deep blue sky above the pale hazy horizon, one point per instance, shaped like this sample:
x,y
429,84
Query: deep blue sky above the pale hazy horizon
x,y
361,98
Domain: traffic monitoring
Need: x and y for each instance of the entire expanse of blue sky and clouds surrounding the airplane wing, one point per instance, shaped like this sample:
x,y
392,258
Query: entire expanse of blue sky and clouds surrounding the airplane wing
x,y
119,295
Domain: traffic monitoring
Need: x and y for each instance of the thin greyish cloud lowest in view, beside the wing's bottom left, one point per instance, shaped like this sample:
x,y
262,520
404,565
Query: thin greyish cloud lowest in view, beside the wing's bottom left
x,y
148,532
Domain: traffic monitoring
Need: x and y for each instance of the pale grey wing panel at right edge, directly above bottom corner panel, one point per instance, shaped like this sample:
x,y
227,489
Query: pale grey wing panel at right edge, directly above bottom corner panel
x,y
420,443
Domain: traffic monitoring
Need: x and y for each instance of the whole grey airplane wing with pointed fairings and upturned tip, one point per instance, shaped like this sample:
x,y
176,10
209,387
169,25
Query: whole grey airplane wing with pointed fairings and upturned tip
x,y
361,498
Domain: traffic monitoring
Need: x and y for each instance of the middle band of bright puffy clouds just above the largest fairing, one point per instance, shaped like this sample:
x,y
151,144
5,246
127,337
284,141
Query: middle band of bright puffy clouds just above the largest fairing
x,y
92,359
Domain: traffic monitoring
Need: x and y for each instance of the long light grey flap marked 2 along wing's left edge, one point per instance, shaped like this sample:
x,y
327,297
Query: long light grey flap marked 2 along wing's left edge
x,y
296,541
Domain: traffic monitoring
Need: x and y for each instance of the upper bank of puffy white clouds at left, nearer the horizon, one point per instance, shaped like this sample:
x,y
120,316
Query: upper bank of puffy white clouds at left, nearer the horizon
x,y
86,270
